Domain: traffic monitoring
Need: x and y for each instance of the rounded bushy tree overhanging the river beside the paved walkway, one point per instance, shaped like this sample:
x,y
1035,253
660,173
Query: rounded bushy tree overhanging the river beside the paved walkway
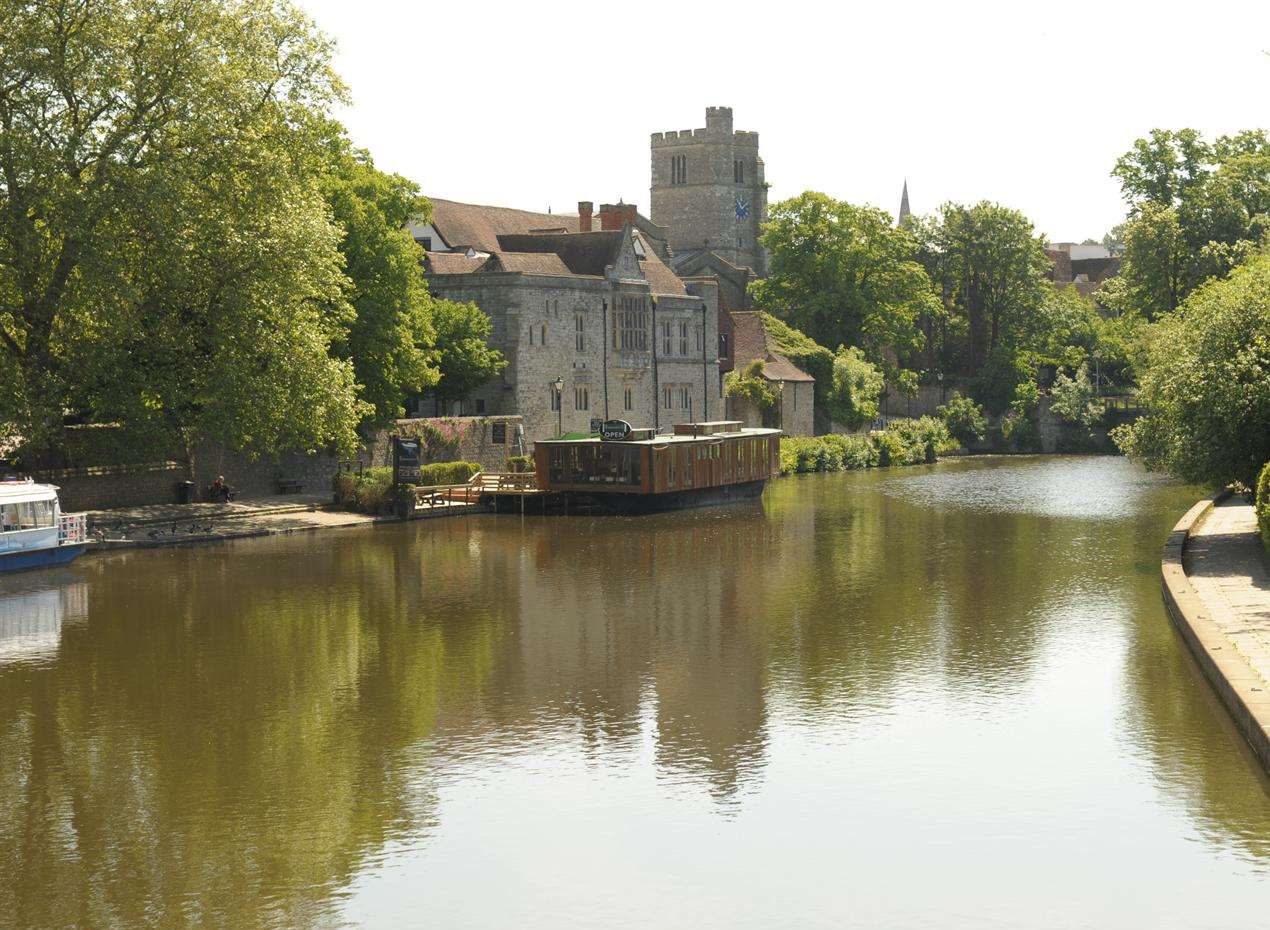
x,y
1205,384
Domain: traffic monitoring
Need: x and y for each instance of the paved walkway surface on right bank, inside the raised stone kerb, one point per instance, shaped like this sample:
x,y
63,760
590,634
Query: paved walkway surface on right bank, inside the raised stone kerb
x,y
1227,566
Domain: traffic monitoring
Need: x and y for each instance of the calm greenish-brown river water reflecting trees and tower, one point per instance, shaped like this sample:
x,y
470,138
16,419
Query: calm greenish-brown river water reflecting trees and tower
x,y
940,697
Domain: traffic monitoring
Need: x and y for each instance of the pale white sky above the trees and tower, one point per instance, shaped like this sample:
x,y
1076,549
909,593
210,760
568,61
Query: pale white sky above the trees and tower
x,y
543,105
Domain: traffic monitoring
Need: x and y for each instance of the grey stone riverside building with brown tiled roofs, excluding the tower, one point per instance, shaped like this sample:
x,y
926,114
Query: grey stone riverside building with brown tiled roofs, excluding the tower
x,y
596,311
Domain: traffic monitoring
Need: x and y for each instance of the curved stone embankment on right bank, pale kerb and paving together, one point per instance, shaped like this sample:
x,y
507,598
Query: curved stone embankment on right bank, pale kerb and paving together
x,y
1217,588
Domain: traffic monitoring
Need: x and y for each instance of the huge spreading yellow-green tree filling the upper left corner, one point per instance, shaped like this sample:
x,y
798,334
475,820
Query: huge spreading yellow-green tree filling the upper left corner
x,y
164,252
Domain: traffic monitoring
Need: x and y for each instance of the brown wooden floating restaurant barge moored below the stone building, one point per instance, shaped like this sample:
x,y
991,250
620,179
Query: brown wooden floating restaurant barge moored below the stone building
x,y
629,471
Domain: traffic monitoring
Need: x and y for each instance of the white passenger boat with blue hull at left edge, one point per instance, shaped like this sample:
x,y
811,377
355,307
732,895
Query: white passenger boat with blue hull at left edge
x,y
34,530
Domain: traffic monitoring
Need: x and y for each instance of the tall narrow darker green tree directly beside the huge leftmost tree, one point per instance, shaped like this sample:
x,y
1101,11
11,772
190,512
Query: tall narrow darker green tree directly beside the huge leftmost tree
x,y
391,339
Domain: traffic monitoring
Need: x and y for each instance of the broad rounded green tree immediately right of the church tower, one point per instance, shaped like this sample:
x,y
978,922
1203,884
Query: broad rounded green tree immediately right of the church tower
x,y
844,275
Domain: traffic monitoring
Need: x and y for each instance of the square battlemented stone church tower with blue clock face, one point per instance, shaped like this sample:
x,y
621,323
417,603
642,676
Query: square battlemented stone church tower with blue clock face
x,y
709,190
